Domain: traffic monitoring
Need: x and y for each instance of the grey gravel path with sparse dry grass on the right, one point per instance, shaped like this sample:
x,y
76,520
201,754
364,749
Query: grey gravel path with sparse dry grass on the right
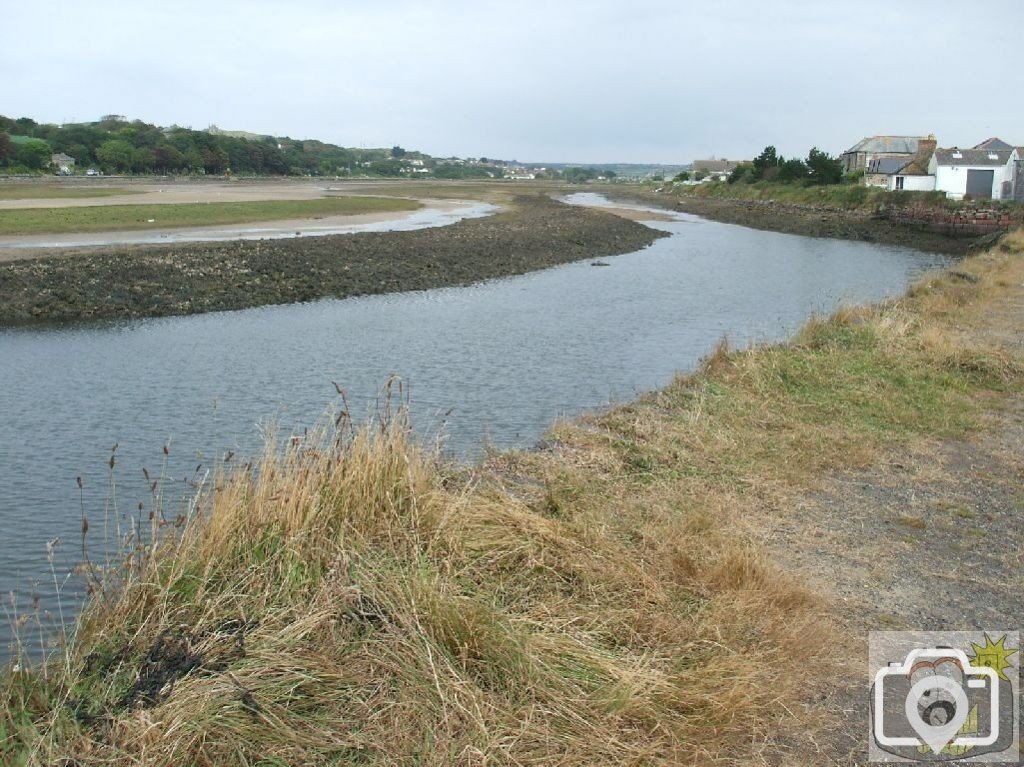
x,y
929,539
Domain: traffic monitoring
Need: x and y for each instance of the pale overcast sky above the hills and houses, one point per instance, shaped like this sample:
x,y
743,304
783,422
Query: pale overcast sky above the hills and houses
x,y
599,81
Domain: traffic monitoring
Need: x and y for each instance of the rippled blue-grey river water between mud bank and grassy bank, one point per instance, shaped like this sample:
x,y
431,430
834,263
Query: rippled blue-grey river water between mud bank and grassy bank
x,y
493,364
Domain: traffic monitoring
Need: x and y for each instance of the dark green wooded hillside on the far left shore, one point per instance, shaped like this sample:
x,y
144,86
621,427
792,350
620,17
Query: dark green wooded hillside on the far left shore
x,y
118,146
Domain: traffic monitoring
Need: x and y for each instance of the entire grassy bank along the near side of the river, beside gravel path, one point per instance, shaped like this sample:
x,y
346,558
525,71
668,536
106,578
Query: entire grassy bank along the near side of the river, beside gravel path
x,y
604,601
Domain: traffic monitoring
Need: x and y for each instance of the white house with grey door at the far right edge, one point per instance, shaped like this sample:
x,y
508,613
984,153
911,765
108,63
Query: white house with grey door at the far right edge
x,y
985,175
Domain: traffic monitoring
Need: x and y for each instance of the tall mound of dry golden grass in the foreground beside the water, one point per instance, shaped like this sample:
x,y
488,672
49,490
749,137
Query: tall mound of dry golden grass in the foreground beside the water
x,y
354,602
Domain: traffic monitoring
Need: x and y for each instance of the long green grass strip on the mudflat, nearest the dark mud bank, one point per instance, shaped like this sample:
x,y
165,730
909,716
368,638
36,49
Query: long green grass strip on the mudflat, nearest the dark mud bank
x,y
131,218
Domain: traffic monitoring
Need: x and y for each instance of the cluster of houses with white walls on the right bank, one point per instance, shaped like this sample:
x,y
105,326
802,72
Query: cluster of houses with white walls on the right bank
x,y
993,171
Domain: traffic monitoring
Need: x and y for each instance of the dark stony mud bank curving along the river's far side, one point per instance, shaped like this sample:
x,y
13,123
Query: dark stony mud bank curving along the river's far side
x,y
153,281
